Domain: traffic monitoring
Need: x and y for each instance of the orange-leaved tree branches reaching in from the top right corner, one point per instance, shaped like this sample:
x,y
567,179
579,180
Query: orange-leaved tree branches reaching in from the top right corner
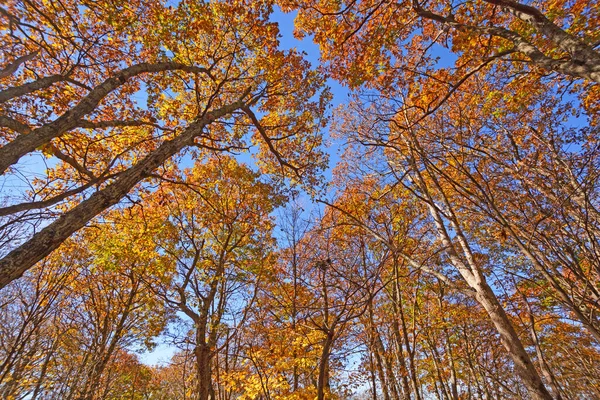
x,y
506,45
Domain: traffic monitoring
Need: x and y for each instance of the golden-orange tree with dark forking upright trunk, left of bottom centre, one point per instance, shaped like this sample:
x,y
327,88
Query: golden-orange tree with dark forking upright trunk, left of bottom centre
x,y
218,251
